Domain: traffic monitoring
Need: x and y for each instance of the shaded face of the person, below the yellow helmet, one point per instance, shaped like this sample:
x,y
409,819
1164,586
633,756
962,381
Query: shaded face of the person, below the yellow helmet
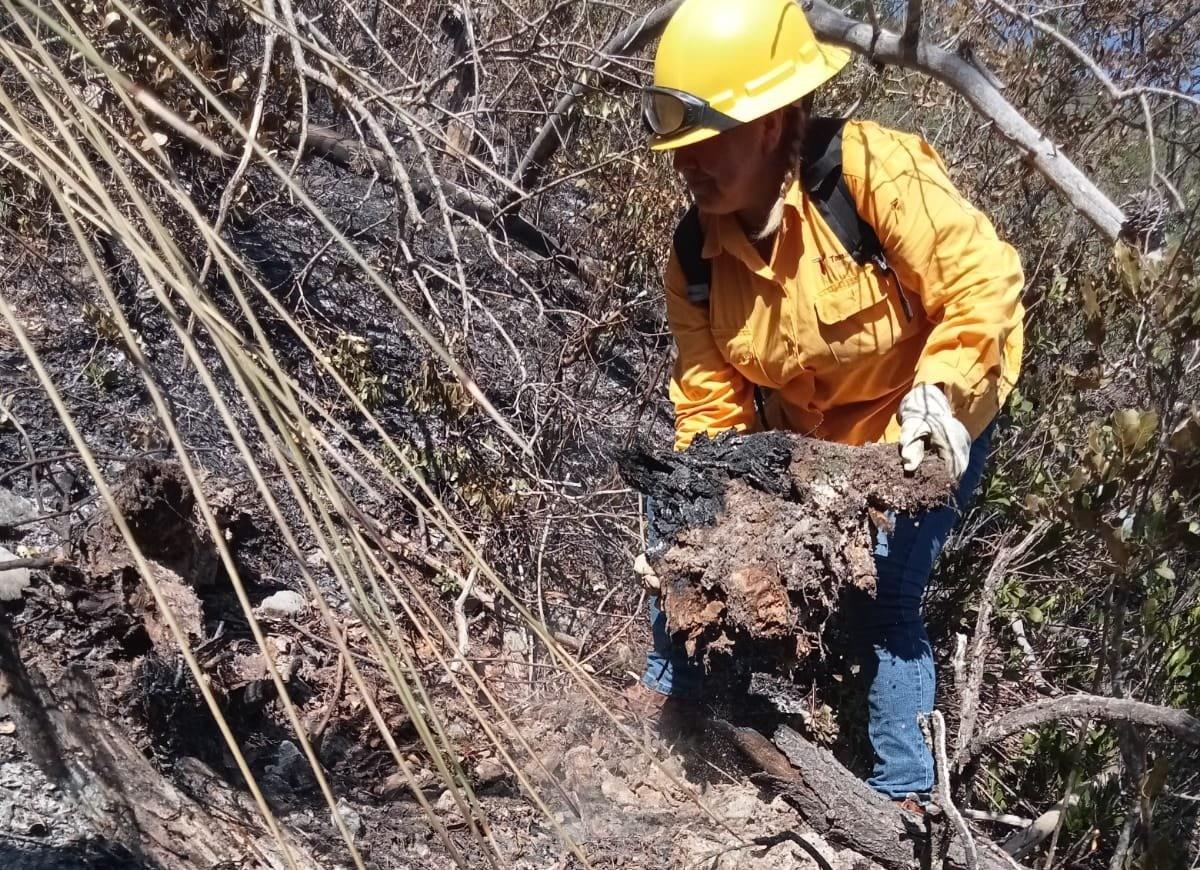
x,y
724,173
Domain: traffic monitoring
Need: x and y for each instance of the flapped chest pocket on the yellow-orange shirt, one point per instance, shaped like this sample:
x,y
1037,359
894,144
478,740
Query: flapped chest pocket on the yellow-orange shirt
x,y
861,314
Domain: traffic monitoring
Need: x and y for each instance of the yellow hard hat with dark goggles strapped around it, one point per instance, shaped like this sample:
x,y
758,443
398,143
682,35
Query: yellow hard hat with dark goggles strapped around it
x,y
723,63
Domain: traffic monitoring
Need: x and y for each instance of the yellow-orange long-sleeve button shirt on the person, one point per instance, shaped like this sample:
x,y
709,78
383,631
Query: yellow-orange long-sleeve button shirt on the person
x,y
831,339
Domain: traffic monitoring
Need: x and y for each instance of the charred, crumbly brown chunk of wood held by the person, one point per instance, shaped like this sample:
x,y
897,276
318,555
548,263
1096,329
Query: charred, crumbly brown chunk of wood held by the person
x,y
758,536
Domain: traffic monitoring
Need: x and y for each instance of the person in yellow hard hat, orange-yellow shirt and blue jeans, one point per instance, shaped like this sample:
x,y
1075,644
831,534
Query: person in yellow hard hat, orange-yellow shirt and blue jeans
x,y
919,346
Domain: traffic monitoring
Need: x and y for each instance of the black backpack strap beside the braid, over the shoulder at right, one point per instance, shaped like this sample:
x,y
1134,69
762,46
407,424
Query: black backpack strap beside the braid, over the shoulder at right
x,y
826,187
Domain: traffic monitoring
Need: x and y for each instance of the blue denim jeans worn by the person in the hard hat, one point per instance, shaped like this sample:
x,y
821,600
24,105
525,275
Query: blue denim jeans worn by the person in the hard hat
x,y
898,661
